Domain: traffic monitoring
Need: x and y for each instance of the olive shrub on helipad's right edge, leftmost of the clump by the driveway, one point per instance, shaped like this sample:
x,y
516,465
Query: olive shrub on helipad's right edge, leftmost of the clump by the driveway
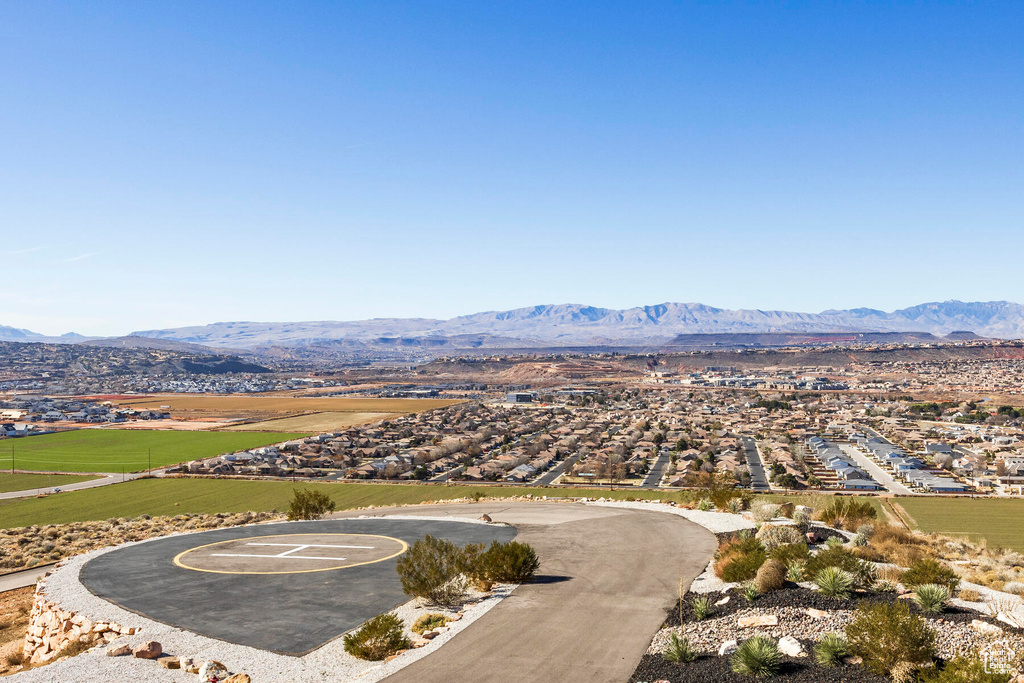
x,y
433,569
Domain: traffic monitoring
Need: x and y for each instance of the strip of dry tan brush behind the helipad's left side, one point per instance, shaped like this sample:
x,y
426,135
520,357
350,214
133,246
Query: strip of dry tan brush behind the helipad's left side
x,y
28,546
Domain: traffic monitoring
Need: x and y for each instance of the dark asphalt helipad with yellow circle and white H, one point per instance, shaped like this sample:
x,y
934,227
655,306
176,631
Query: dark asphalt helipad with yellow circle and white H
x,y
287,588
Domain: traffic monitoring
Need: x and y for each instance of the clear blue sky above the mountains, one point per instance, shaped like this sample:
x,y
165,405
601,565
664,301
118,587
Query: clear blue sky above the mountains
x,y
166,164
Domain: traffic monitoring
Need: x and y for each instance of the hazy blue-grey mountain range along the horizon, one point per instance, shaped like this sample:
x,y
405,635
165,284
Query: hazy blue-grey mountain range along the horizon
x,y
578,326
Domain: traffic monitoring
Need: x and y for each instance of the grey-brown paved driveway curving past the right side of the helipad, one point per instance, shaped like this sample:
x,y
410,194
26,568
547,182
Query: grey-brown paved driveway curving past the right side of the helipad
x,y
608,577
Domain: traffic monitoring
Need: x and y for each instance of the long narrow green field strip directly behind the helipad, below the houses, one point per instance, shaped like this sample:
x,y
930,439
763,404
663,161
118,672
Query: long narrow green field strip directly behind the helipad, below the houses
x,y
173,497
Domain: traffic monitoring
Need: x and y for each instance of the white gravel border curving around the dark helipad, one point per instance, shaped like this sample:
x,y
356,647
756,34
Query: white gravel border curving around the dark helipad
x,y
329,663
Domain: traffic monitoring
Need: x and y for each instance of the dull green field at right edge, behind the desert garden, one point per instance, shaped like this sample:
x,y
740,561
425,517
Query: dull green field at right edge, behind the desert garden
x,y
997,521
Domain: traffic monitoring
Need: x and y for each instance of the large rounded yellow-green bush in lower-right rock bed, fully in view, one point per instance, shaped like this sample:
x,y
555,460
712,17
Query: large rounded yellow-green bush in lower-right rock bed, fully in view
x,y
885,635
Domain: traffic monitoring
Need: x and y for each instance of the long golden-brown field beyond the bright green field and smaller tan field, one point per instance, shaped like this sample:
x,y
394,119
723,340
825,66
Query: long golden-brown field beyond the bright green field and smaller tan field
x,y
258,409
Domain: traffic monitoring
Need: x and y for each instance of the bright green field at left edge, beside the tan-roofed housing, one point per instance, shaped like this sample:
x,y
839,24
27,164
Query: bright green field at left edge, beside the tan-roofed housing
x,y
112,450
